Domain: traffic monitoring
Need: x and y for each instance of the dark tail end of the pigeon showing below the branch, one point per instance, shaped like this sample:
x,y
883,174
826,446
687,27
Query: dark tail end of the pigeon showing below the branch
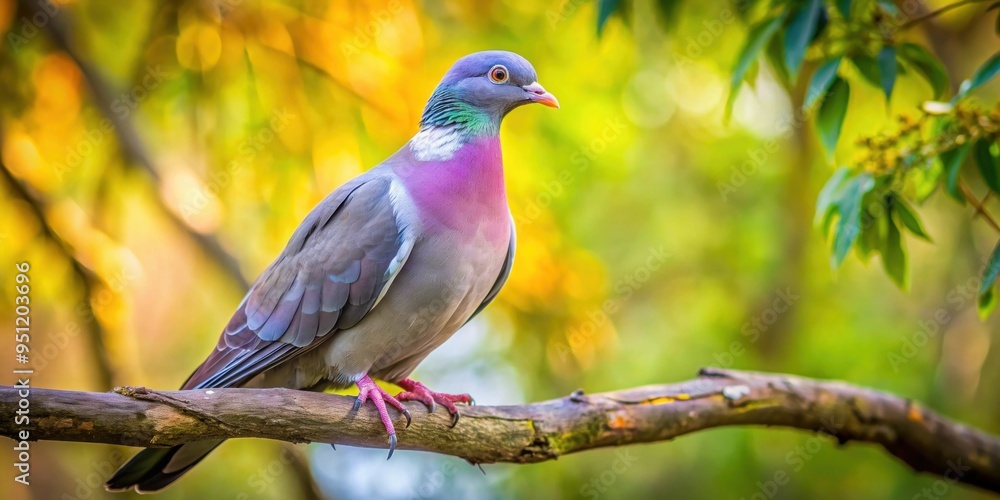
x,y
153,469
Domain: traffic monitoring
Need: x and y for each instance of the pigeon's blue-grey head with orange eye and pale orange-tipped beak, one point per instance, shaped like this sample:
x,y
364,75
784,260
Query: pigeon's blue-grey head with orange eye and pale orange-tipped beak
x,y
481,88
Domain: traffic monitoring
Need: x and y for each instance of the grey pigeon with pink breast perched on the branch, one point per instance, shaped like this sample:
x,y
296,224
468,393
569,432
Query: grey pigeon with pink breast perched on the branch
x,y
382,271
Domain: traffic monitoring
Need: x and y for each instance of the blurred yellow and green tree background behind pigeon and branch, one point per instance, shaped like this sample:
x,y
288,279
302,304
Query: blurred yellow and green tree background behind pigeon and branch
x,y
157,155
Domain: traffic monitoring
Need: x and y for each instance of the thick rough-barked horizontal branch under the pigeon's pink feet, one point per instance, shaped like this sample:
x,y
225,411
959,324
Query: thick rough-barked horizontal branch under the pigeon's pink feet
x,y
528,433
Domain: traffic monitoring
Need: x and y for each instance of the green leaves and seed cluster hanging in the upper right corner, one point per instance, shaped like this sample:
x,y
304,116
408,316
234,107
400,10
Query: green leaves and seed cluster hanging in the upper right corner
x,y
866,205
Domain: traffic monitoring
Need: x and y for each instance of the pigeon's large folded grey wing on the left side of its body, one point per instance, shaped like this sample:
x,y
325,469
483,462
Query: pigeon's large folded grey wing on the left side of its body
x,y
336,267
